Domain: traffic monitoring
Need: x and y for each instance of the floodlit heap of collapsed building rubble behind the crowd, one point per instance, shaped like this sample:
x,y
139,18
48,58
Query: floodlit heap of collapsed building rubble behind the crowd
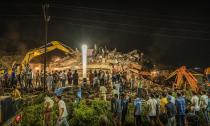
x,y
134,62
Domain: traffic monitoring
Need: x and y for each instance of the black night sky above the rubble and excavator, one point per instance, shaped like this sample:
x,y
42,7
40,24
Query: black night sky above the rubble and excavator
x,y
170,33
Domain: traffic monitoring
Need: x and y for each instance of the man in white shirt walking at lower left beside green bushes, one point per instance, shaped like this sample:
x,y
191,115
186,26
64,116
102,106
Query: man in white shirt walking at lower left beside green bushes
x,y
62,112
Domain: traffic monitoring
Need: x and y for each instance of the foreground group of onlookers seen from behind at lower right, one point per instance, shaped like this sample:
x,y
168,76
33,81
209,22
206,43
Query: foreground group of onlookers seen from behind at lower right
x,y
165,109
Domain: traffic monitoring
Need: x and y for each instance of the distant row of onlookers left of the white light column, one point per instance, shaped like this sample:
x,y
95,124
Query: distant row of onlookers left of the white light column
x,y
26,79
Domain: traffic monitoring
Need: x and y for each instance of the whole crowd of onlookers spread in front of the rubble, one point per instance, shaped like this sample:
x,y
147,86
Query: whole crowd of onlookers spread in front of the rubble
x,y
160,107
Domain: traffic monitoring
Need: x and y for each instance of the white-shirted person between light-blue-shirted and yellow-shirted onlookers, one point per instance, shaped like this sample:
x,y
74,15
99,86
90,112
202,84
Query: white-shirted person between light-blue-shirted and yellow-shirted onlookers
x,y
152,103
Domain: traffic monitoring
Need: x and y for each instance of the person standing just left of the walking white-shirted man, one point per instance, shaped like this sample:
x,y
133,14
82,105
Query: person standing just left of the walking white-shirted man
x,y
48,105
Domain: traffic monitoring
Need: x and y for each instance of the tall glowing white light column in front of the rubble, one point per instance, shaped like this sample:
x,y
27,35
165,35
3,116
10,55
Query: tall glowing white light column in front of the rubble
x,y
84,60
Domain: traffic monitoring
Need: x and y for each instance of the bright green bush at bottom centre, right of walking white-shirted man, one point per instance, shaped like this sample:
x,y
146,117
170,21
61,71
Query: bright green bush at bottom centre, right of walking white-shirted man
x,y
90,113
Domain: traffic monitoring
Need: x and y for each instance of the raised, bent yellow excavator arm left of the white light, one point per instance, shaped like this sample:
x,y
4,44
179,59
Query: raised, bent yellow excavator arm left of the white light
x,y
50,47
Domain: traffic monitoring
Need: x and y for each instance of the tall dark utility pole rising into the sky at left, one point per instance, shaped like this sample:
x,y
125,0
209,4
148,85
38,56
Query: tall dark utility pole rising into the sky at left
x,y
45,8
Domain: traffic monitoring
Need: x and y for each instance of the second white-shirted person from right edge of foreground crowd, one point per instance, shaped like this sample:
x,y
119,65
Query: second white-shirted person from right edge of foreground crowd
x,y
195,103
